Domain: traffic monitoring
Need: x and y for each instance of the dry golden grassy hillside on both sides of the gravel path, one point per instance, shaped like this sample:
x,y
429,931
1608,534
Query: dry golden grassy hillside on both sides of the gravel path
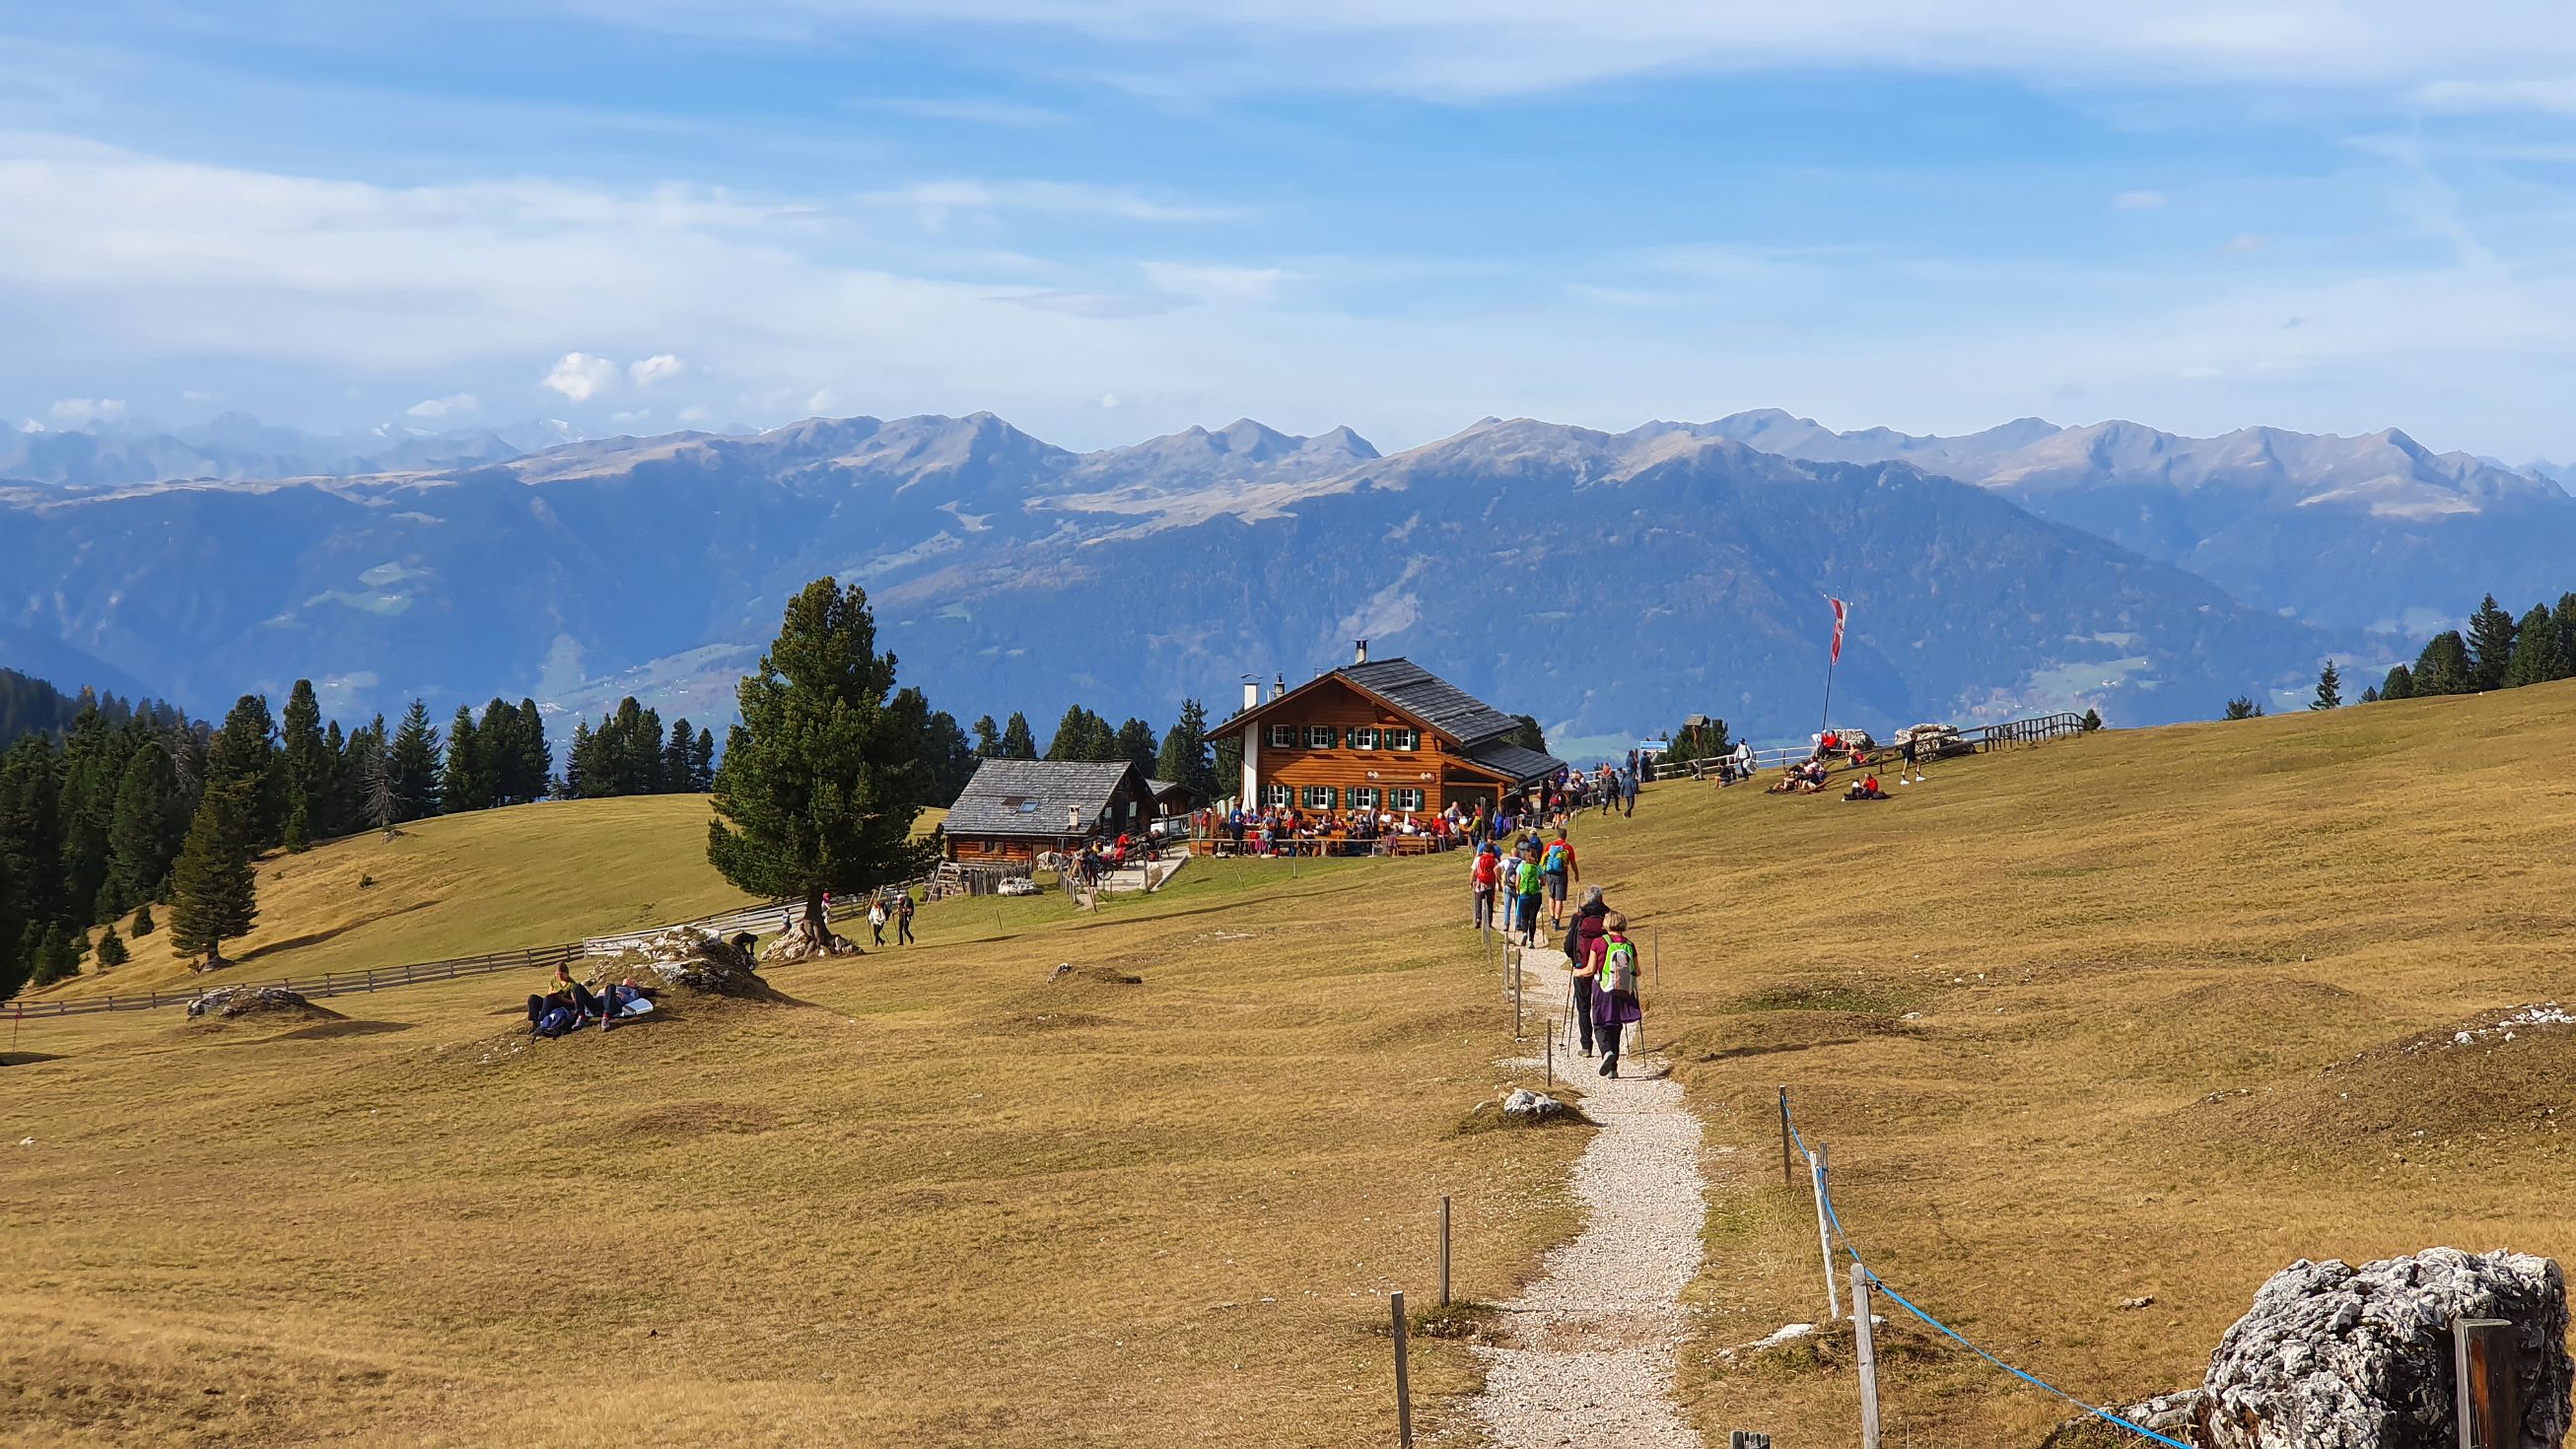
x,y
2065,1018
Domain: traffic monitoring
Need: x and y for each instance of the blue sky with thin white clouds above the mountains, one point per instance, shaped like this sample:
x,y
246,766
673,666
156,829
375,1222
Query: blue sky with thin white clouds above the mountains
x,y
1117,217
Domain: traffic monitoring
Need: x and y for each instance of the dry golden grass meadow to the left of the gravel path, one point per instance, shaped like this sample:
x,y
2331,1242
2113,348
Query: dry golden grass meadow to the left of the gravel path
x,y
934,1201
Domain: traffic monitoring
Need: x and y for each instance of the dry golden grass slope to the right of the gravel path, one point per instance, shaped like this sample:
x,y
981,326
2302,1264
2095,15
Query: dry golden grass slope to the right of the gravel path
x,y
2129,964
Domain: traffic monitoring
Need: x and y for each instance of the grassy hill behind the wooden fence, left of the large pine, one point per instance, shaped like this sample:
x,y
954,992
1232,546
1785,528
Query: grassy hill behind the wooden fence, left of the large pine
x,y
452,887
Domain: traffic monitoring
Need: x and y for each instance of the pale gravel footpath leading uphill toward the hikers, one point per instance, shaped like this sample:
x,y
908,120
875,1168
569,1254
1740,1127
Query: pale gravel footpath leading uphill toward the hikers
x,y
1593,1347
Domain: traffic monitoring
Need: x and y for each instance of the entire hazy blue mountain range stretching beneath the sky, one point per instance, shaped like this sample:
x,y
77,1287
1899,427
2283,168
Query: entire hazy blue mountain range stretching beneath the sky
x,y
1604,583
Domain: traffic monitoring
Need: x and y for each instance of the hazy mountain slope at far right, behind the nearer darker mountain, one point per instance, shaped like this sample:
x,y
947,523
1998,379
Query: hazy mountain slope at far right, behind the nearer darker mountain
x,y
2348,531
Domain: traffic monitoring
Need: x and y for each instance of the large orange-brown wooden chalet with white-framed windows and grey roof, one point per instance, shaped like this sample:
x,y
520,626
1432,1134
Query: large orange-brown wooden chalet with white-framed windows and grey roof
x,y
1379,737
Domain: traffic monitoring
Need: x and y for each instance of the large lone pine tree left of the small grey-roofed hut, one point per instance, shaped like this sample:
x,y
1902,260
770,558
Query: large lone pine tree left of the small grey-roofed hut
x,y
823,776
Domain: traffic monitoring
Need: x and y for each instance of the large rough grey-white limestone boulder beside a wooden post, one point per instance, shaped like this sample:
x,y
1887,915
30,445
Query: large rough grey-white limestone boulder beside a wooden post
x,y
2340,1358
